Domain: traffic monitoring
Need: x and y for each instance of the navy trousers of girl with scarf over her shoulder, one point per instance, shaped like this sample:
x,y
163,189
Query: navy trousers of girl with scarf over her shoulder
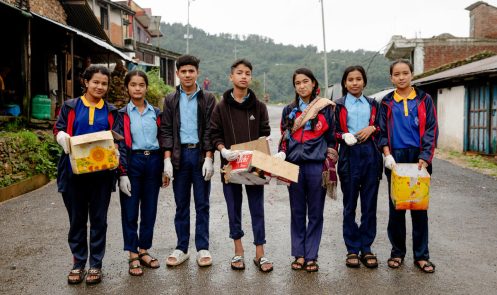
x,y
307,202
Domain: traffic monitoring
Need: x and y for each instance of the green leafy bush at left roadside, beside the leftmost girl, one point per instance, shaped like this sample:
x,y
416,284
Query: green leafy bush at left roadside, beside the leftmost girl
x,y
26,153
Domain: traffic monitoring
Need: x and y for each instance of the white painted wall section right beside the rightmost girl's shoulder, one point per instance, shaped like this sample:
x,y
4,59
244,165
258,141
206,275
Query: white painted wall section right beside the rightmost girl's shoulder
x,y
450,111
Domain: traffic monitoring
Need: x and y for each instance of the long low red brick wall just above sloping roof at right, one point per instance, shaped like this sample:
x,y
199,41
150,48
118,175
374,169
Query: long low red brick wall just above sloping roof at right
x,y
436,55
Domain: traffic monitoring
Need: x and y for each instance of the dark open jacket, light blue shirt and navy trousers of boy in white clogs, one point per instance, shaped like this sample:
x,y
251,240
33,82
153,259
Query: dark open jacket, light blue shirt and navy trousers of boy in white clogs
x,y
185,132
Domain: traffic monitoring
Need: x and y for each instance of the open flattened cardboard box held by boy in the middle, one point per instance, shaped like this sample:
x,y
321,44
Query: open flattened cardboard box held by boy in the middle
x,y
257,168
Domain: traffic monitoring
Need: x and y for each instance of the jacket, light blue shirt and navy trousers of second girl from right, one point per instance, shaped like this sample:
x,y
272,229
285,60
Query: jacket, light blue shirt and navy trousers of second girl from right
x,y
359,169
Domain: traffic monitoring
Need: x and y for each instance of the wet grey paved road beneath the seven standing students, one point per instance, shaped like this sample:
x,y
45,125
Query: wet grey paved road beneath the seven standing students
x,y
35,257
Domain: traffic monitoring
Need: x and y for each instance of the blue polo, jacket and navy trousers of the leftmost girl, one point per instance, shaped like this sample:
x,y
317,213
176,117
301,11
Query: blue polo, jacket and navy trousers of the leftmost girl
x,y
86,195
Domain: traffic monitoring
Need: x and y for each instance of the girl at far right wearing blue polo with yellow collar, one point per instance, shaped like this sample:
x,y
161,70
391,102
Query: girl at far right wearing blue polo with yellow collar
x,y
409,132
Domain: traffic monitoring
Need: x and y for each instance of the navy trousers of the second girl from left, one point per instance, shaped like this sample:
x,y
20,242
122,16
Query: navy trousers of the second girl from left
x,y
145,175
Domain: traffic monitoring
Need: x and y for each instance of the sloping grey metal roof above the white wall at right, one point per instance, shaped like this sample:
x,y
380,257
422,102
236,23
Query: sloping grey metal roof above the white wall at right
x,y
487,65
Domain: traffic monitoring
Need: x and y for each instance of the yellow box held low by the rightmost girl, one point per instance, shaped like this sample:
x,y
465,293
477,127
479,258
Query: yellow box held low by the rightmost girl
x,y
410,187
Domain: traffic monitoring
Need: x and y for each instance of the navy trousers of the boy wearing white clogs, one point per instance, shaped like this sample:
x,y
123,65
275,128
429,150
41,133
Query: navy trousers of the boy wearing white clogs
x,y
190,173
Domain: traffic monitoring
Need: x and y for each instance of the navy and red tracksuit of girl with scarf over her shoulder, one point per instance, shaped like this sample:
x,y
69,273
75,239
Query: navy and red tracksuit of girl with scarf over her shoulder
x,y
307,148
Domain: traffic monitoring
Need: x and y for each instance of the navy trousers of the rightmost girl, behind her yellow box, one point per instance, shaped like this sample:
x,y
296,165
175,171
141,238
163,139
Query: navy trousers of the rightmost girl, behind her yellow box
x,y
397,220
